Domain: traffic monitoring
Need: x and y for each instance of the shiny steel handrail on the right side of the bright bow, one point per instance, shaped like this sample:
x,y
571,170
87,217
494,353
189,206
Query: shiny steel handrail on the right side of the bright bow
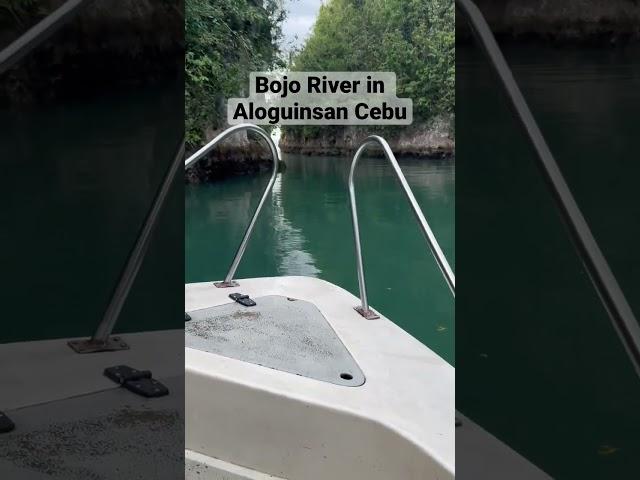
x,y
441,260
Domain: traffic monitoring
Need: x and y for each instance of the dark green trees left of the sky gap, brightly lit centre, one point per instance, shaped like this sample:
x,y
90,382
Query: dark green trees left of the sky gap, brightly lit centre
x,y
225,41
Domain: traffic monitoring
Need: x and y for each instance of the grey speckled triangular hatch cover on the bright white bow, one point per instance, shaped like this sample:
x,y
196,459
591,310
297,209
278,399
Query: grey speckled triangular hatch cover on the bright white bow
x,y
280,333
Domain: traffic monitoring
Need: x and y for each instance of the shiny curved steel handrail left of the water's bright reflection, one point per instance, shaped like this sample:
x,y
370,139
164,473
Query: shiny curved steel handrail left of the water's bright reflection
x,y
228,279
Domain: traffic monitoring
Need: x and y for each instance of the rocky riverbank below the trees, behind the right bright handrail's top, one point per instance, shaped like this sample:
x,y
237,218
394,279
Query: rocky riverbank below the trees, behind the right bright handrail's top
x,y
434,139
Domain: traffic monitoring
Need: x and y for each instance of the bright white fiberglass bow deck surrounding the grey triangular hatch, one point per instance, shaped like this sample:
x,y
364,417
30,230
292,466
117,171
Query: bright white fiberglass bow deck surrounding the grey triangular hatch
x,y
256,422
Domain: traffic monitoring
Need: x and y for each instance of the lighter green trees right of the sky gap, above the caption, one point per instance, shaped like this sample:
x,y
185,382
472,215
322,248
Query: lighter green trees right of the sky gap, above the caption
x,y
414,38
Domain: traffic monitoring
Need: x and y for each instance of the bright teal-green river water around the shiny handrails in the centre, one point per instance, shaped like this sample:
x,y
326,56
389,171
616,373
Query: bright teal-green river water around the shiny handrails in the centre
x,y
305,229
